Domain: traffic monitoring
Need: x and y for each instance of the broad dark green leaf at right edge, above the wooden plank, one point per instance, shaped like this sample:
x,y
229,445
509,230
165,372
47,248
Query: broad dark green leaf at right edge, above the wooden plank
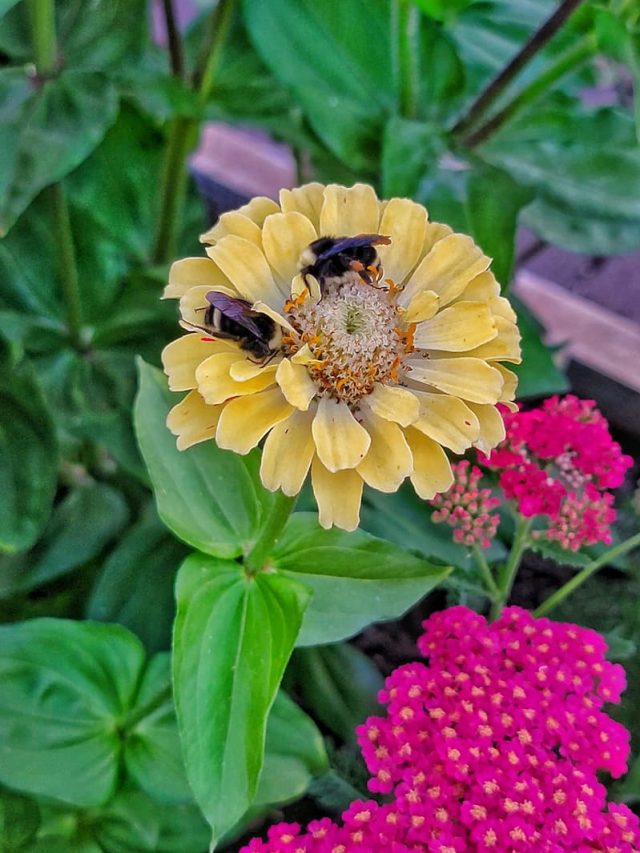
x,y
581,165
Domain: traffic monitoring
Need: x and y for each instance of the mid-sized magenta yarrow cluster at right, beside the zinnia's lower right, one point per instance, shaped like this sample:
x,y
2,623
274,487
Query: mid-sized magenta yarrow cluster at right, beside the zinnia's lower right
x,y
558,461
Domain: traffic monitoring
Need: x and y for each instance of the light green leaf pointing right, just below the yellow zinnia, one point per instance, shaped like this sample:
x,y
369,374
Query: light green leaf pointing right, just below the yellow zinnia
x,y
356,579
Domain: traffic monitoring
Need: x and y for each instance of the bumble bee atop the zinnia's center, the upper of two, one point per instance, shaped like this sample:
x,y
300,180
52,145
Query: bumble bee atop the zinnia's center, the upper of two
x,y
332,257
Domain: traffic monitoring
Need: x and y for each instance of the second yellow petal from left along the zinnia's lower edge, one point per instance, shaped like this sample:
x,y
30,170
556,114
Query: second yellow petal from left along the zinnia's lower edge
x,y
244,421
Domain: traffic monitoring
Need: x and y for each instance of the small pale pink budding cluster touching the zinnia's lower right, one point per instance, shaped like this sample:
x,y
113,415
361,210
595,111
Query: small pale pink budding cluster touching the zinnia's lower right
x,y
467,508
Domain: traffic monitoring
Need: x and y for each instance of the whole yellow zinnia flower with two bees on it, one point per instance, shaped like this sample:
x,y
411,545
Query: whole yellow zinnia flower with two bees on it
x,y
359,372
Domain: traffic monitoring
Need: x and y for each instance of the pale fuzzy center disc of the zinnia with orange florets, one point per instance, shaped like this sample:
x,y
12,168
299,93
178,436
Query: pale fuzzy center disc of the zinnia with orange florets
x,y
355,333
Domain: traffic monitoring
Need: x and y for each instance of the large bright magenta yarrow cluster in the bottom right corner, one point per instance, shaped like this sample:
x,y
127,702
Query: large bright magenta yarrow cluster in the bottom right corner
x,y
491,746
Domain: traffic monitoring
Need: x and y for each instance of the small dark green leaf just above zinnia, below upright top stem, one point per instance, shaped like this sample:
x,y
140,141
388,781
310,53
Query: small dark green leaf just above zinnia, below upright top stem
x,y
410,149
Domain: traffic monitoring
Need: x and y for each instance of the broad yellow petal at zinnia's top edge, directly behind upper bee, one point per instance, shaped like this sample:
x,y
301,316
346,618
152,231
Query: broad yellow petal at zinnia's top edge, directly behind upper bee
x,y
349,211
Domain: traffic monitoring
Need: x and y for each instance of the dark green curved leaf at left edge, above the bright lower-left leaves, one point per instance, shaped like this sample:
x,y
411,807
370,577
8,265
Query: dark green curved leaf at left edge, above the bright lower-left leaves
x,y
80,526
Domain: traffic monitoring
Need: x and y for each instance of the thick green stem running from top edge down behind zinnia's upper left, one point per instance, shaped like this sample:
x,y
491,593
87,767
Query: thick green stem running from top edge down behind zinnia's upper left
x,y
183,136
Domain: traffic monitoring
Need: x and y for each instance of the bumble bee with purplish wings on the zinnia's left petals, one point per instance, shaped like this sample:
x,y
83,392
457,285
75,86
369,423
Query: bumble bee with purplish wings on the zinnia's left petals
x,y
234,319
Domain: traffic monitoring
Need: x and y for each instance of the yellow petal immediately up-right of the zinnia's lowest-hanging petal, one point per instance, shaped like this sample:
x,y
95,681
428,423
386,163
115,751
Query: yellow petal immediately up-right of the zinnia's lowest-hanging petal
x,y
388,461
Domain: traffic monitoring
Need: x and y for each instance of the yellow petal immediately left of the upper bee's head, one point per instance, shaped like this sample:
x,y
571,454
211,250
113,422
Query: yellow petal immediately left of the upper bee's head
x,y
284,237
